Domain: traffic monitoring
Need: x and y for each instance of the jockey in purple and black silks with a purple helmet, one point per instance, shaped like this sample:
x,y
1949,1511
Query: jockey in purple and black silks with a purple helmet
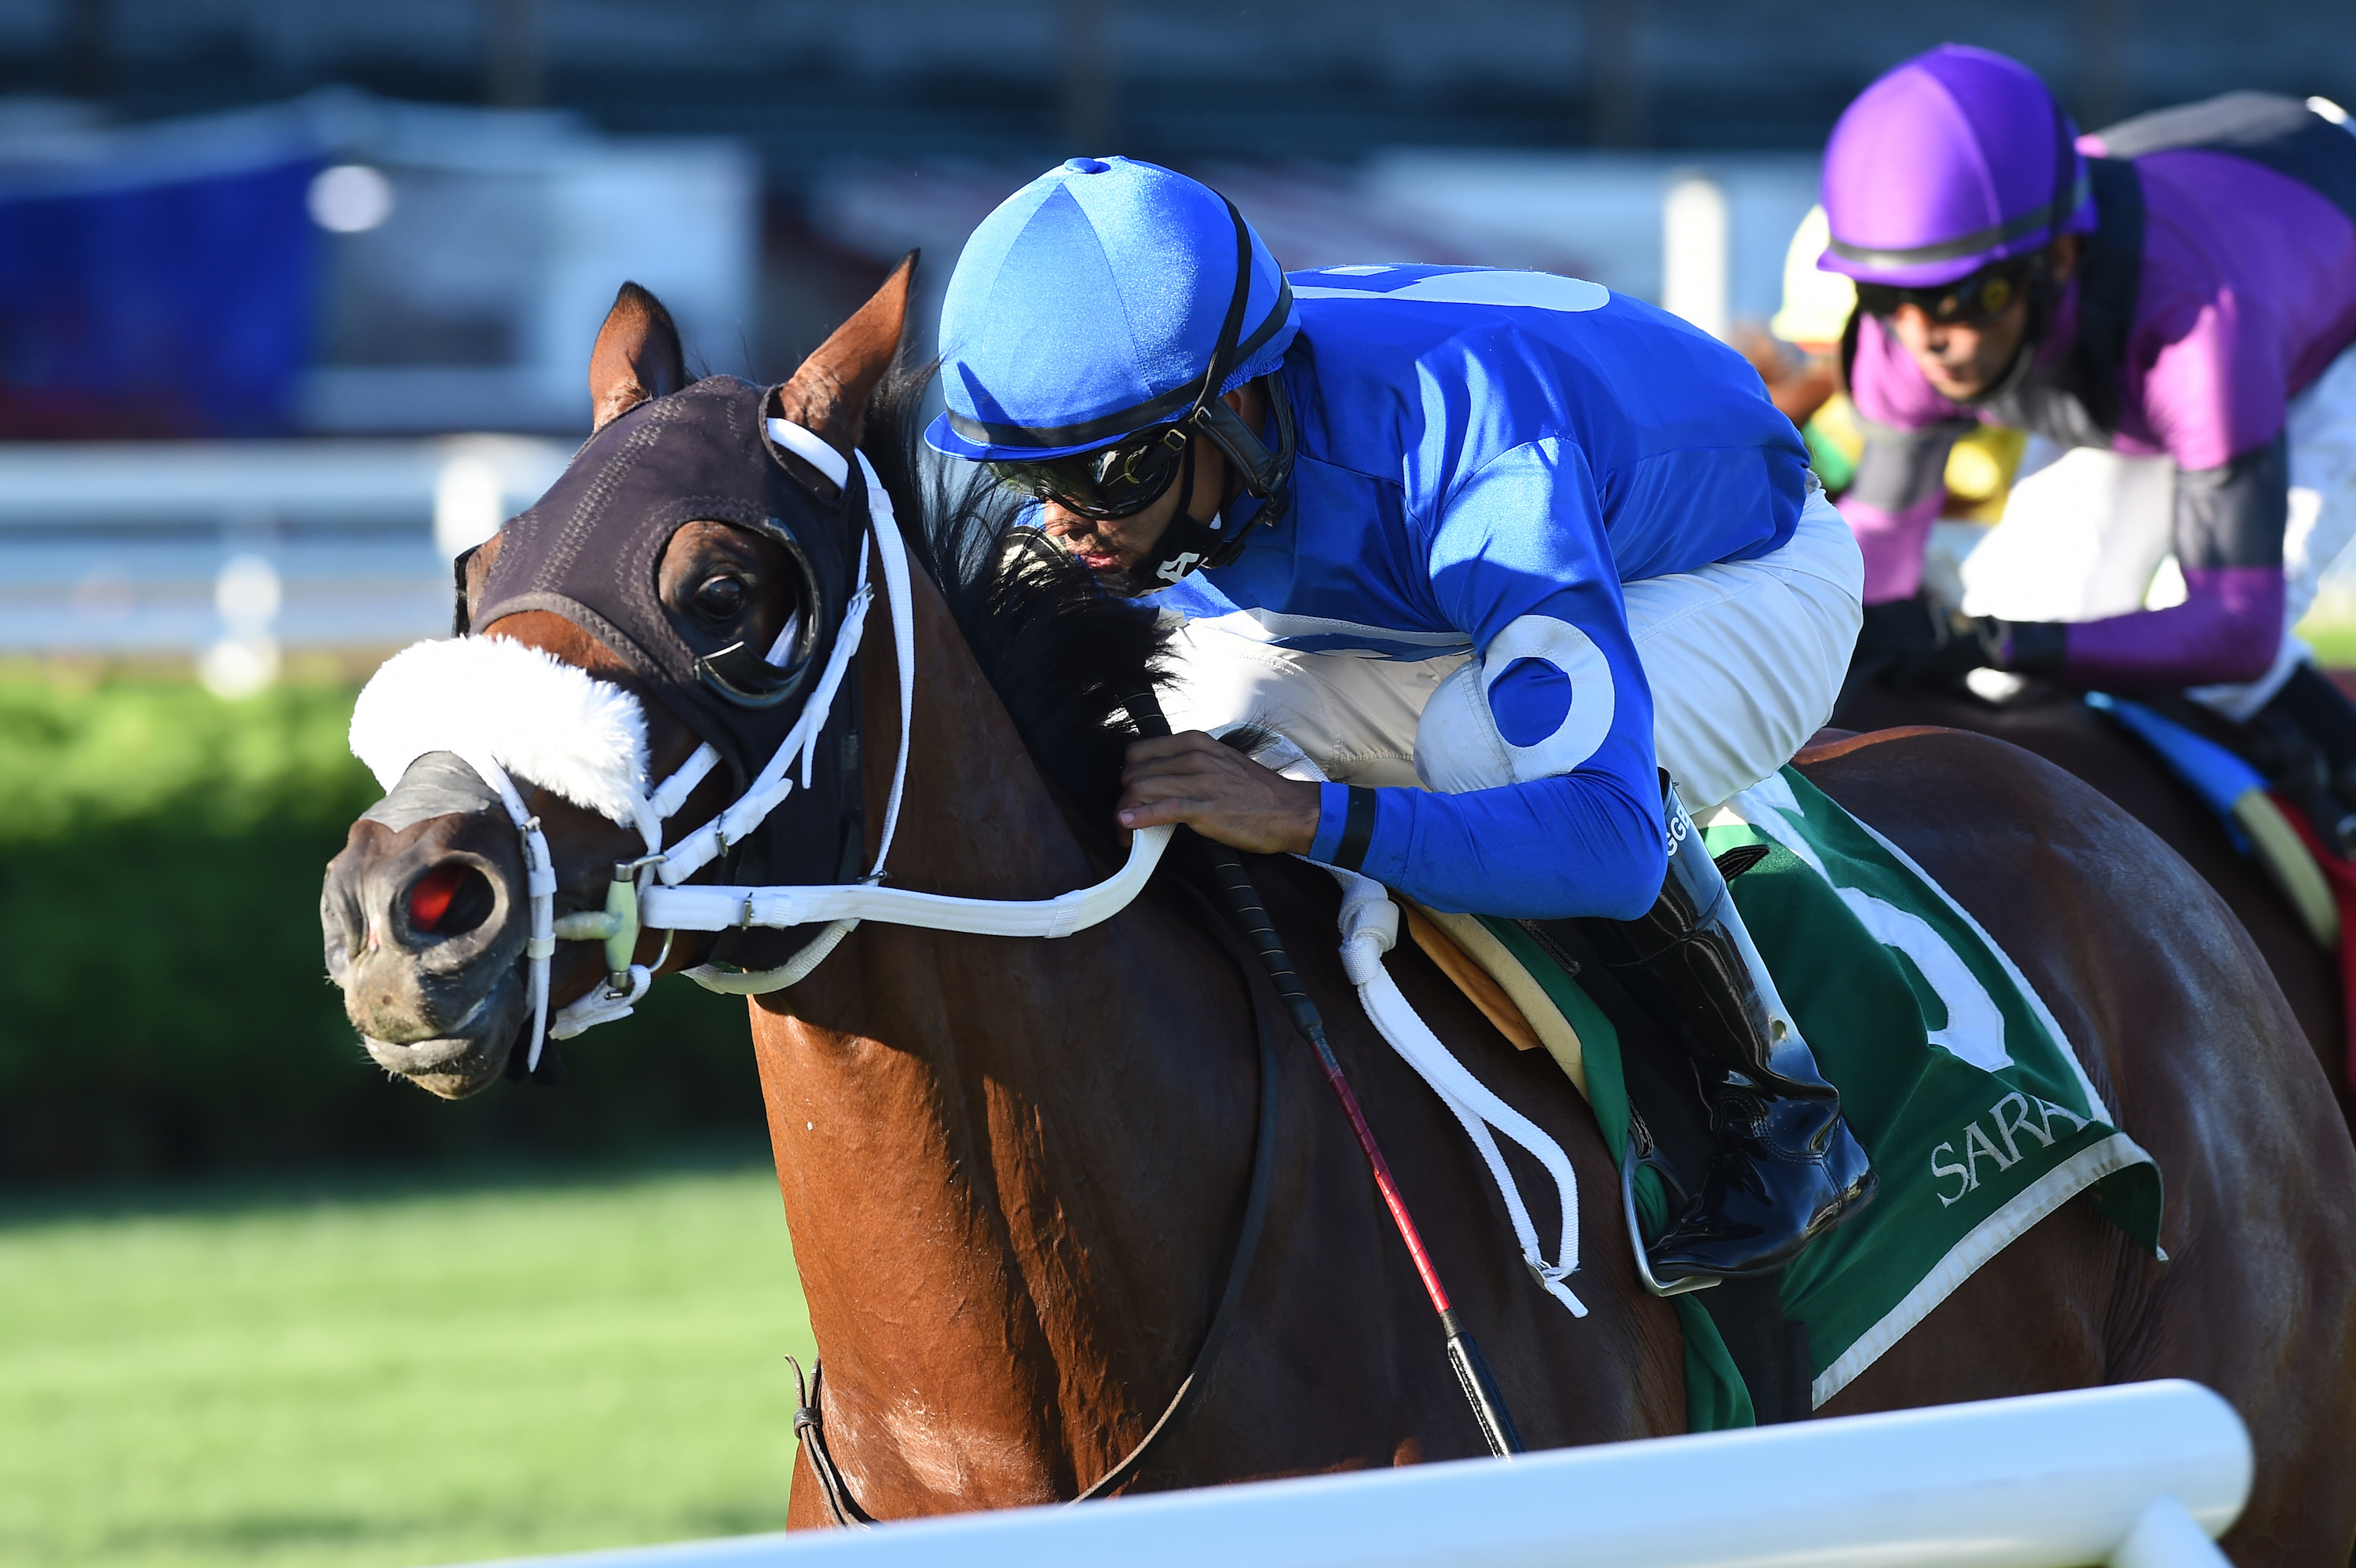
x,y
2178,291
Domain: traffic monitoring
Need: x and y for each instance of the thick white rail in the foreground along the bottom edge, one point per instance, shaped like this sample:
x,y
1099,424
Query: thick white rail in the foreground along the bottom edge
x,y
2138,1477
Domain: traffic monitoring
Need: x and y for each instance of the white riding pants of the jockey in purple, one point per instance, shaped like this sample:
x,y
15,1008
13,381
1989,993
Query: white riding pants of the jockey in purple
x,y
2091,533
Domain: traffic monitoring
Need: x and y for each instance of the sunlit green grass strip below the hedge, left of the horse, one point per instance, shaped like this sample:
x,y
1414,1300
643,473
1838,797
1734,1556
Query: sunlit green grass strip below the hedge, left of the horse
x,y
395,1374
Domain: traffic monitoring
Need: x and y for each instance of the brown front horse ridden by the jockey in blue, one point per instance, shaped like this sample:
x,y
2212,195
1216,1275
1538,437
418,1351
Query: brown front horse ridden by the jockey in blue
x,y
1017,1169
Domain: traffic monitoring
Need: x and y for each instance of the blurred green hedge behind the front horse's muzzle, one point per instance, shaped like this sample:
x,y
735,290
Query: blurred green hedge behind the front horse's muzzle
x,y
164,1004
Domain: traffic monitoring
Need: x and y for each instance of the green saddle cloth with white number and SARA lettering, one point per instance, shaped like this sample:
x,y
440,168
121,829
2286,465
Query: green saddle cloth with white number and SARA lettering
x,y
1952,1072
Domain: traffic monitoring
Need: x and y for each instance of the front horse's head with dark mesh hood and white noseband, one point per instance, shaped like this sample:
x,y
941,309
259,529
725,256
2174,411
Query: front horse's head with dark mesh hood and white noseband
x,y
633,653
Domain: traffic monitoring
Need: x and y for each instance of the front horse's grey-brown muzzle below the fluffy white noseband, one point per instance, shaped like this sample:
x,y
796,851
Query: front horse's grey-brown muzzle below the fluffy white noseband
x,y
425,926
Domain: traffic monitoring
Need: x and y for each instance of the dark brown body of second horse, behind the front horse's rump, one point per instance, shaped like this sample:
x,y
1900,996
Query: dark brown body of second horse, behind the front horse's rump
x,y
2086,745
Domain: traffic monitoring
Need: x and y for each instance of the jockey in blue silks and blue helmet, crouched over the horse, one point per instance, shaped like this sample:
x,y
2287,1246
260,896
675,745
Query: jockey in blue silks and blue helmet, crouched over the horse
x,y
1493,550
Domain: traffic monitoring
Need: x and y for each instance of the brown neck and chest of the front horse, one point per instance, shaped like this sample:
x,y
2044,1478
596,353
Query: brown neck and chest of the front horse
x,y
1010,1164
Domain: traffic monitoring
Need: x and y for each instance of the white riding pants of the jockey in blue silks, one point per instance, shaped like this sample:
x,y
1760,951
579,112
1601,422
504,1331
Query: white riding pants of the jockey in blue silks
x,y
1745,660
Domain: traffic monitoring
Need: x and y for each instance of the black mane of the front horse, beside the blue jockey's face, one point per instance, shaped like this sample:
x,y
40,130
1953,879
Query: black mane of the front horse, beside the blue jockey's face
x,y
1057,649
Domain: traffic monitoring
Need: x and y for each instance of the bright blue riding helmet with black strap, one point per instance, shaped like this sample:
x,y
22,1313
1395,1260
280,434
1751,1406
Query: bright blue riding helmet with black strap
x,y
1092,305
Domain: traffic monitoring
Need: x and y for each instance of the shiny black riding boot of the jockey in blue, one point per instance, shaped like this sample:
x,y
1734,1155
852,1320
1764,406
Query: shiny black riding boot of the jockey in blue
x,y
1785,1162
